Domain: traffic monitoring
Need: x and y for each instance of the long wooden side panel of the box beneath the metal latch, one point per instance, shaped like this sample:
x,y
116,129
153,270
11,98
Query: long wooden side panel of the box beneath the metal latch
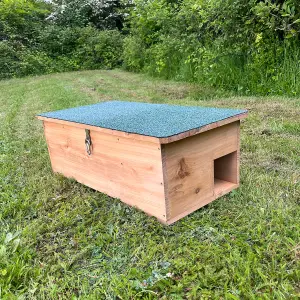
x,y
121,167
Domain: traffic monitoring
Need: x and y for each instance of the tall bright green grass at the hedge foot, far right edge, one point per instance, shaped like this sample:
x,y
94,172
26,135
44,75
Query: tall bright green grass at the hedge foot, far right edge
x,y
244,74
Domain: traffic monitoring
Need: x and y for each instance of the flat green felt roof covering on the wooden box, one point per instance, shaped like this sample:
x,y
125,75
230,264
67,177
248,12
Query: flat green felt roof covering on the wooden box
x,y
157,120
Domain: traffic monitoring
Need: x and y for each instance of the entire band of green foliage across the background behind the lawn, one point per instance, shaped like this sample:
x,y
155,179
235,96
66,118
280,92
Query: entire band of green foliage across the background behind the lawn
x,y
249,47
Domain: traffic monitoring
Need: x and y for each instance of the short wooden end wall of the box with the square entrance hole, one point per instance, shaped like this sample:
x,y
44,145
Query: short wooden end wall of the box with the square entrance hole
x,y
189,169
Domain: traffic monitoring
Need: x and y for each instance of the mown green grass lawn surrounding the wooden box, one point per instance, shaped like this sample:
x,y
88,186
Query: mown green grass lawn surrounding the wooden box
x,y
62,240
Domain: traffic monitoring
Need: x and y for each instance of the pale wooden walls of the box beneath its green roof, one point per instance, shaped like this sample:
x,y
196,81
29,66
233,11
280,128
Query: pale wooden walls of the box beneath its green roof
x,y
167,181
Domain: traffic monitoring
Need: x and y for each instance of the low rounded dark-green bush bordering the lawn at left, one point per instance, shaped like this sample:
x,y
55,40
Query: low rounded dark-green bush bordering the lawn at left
x,y
62,49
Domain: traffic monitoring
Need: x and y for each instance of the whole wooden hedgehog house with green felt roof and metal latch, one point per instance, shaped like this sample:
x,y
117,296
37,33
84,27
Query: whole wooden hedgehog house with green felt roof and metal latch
x,y
166,160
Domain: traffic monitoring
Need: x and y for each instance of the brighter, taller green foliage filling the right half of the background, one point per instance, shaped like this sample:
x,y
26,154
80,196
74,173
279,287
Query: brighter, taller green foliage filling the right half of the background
x,y
245,46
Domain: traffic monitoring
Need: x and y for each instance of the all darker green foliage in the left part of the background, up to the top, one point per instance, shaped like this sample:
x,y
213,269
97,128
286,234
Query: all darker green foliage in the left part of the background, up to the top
x,y
31,44
